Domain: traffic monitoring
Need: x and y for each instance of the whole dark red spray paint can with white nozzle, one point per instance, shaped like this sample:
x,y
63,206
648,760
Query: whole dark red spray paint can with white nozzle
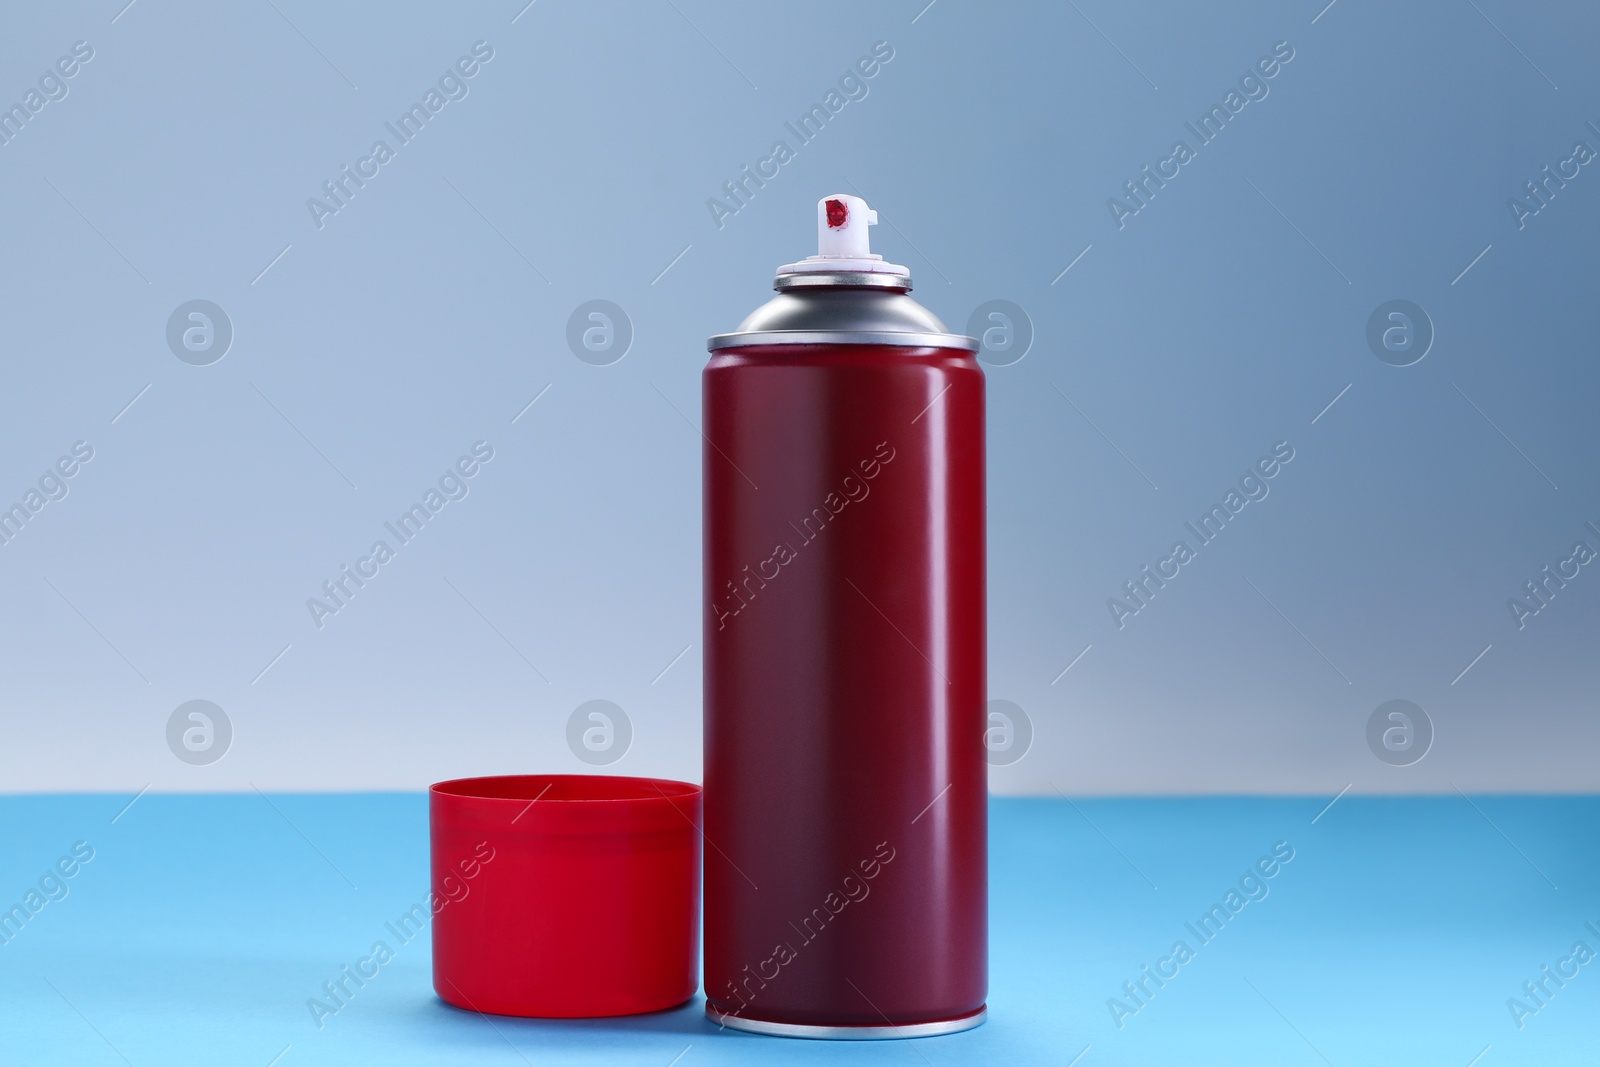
x,y
846,655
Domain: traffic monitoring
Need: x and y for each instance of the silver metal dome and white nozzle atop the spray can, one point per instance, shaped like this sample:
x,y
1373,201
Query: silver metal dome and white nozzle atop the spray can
x,y
844,295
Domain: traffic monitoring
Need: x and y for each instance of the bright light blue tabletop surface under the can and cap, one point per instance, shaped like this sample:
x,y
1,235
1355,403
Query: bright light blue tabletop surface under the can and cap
x,y
1396,935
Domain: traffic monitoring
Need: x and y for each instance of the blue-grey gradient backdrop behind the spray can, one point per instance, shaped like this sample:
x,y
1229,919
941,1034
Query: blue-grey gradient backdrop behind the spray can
x,y
426,314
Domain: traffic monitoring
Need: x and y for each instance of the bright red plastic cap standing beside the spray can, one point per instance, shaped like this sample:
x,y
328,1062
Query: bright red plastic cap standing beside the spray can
x,y
566,897
